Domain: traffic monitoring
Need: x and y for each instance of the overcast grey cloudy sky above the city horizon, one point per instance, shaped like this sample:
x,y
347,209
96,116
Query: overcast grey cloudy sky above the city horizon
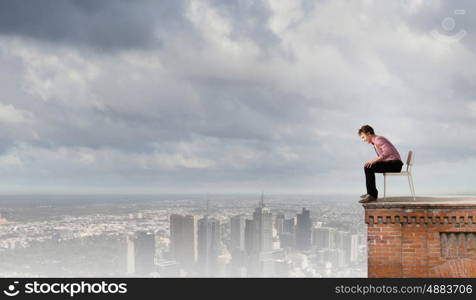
x,y
233,96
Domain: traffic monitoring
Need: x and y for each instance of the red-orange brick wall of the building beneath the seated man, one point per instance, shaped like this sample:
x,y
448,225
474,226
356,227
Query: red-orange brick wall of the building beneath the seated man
x,y
434,240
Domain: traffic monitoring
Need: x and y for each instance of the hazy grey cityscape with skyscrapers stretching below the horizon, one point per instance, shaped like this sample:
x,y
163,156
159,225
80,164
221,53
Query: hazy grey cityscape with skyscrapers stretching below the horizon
x,y
182,236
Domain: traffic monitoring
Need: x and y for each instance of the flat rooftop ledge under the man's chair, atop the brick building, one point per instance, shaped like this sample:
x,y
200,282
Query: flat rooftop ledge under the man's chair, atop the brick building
x,y
423,202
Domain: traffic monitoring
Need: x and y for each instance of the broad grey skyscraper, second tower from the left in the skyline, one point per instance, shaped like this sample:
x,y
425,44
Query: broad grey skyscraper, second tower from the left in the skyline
x,y
183,239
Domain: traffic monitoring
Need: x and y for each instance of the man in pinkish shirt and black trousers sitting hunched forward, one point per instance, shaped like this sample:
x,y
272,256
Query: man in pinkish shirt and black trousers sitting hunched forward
x,y
388,160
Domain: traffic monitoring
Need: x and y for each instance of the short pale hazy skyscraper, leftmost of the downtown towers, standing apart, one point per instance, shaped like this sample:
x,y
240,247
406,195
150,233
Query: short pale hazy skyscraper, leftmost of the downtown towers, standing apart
x,y
140,253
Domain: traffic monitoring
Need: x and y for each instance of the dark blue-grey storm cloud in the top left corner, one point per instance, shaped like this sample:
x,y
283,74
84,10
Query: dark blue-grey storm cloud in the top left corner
x,y
105,24
